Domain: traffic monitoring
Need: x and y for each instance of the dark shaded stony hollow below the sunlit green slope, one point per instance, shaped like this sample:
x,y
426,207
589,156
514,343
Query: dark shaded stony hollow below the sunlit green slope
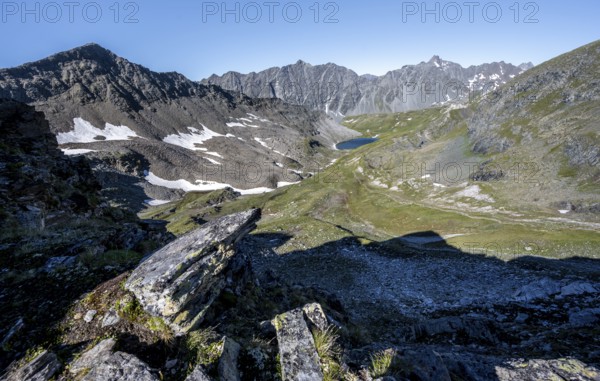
x,y
437,305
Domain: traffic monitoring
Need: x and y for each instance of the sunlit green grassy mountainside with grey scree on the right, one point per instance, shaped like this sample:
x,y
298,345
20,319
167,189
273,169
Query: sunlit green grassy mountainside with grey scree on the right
x,y
507,174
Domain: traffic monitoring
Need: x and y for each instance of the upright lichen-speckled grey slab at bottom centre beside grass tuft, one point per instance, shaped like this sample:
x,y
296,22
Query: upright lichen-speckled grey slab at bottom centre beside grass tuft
x,y
297,352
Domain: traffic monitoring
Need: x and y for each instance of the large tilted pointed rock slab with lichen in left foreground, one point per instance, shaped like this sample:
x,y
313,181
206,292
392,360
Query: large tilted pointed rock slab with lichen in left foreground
x,y
180,281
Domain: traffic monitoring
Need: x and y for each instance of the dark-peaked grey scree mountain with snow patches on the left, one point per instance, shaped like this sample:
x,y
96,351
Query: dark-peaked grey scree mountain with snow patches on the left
x,y
182,130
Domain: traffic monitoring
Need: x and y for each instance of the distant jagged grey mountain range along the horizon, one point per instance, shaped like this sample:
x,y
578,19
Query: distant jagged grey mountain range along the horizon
x,y
340,92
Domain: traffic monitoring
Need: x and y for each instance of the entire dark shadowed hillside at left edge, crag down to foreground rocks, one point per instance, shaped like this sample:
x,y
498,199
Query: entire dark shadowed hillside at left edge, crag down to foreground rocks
x,y
58,234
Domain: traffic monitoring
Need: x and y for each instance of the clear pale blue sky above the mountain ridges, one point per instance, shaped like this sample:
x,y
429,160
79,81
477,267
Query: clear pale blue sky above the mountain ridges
x,y
198,38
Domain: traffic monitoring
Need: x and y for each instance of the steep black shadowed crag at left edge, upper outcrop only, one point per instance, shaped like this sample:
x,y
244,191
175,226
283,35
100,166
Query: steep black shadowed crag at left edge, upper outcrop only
x,y
38,180
